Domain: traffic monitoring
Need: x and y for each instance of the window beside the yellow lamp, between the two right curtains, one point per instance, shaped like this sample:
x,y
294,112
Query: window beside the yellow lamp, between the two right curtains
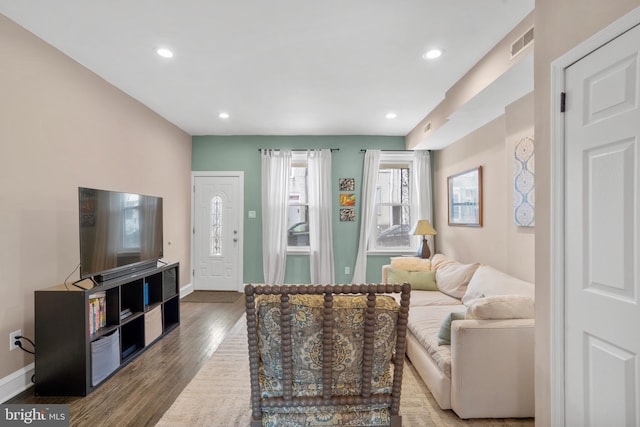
x,y
393,218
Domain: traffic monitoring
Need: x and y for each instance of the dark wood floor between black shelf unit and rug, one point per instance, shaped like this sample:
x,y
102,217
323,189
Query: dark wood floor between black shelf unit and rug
x,y
142,391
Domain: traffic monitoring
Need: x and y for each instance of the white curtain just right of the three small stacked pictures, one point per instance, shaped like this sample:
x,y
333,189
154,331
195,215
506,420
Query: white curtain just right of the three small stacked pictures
x,y
367,212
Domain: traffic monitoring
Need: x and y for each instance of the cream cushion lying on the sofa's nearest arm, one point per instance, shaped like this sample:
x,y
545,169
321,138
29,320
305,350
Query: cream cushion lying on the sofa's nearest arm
x,y
502,307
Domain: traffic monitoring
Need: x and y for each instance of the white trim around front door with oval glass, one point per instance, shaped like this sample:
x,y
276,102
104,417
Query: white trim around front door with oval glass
x,y
215,174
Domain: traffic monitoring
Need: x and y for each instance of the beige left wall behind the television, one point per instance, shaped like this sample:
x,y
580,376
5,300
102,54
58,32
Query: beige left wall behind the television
x,y
61,127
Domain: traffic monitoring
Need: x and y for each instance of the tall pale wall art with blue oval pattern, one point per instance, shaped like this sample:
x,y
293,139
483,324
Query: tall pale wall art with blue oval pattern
x,y
523,183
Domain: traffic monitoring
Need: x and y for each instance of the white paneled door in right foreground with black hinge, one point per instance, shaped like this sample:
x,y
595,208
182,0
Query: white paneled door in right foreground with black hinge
x,y
602,236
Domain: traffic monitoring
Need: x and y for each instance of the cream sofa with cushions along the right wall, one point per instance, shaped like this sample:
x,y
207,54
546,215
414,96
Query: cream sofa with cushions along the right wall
x,y
485,367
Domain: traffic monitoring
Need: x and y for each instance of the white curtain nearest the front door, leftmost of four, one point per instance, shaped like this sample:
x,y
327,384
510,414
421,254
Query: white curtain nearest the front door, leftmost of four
x,y
276,167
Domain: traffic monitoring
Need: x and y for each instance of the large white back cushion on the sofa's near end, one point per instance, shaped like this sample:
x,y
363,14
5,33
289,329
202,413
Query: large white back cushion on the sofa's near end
x,y
489,281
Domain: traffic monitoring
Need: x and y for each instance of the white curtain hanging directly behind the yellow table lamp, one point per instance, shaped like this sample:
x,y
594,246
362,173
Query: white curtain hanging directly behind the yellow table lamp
x,y
423,209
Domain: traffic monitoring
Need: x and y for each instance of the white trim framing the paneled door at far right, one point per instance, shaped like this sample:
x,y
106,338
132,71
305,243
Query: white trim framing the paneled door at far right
x,y
557,212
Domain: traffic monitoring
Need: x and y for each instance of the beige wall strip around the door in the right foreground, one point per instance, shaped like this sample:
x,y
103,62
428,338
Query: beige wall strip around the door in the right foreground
x,y
560,26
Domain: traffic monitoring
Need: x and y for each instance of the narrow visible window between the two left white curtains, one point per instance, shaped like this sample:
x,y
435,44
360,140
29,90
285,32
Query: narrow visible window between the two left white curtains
x,y
298,206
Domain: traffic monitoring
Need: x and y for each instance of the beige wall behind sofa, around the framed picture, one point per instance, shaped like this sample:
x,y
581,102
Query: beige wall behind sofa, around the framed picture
x,y
498,242
